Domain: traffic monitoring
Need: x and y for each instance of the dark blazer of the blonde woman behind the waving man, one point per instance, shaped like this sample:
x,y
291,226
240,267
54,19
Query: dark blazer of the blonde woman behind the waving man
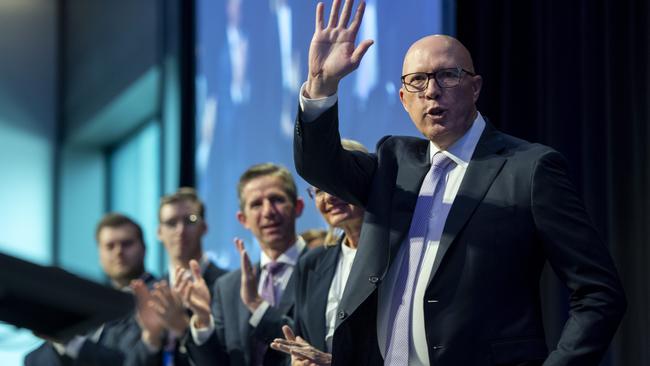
x,y
314,275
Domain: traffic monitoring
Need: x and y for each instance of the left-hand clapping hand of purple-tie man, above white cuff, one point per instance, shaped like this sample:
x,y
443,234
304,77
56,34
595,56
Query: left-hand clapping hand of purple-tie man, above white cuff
x,y
194,293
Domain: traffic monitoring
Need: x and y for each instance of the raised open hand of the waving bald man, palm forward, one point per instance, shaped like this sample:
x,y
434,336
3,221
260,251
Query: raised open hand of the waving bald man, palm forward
x,y
332,53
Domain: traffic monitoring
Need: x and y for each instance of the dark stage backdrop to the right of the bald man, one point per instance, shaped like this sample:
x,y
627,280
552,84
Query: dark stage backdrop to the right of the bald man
x,y
574,75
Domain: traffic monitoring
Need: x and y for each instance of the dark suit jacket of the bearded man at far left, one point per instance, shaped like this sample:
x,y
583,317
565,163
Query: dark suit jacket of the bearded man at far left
x,y
118,344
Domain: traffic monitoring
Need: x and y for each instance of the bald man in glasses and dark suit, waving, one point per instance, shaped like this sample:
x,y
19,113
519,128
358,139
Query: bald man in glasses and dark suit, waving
x,y
458,225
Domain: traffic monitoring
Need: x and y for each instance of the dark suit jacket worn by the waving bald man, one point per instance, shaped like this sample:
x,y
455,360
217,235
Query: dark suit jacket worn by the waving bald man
x,y
515,210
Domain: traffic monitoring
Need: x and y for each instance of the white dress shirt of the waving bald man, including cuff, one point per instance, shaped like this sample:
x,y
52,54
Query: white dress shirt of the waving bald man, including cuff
x,y
460,152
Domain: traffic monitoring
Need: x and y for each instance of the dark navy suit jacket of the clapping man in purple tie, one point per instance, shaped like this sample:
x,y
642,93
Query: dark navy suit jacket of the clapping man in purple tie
x,y
234,339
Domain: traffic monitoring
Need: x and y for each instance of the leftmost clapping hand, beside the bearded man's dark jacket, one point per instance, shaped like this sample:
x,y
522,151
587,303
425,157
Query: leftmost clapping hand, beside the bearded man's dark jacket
x,y
148,318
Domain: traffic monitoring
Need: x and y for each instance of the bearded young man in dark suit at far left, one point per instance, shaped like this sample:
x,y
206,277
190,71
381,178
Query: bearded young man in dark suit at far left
x,y
121,255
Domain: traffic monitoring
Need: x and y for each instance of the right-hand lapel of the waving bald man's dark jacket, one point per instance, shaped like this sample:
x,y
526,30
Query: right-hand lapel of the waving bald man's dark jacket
x,y
481,172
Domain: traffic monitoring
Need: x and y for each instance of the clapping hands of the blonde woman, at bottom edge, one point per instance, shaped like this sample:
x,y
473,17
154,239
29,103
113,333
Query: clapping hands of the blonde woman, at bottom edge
x,y
302,353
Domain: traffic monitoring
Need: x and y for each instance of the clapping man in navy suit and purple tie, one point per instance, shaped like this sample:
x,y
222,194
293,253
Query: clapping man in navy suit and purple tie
x,y
250,305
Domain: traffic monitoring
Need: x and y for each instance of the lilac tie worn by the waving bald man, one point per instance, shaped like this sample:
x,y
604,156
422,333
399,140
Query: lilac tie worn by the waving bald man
x,y
399,334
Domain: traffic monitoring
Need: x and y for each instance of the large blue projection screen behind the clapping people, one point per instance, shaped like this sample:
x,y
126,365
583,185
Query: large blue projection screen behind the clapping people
x,y
251,62
